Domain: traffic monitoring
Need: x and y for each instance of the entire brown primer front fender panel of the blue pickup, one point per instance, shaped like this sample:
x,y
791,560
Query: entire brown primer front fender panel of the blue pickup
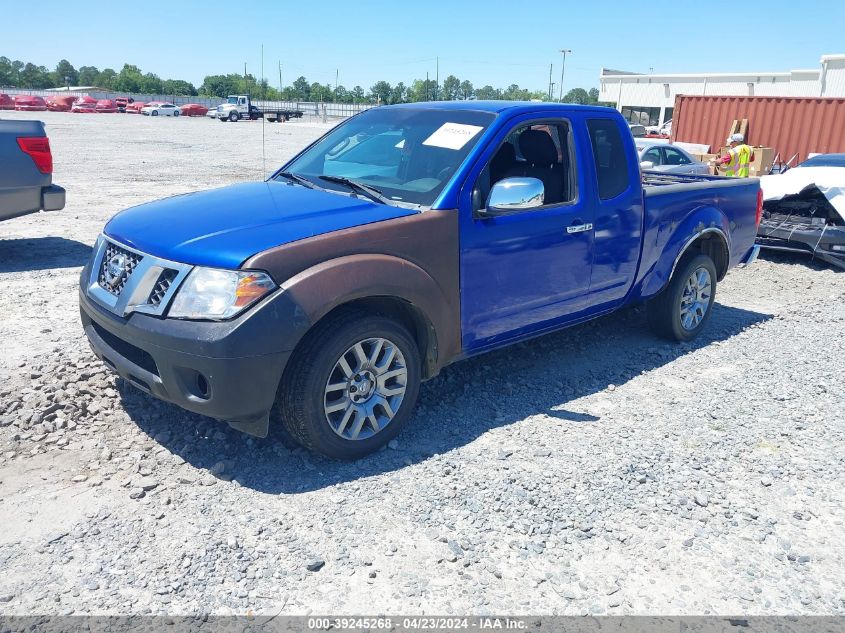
x,y
413,258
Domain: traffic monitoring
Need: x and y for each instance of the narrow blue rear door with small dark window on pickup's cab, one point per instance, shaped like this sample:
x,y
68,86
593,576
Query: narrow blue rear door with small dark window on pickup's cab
x,y
618,213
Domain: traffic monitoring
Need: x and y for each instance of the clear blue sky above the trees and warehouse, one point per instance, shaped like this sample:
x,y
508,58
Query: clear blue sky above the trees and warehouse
x,y
487,42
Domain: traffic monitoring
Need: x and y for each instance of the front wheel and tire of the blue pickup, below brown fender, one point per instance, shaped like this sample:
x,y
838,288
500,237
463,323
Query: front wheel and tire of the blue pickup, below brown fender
x,y
306,399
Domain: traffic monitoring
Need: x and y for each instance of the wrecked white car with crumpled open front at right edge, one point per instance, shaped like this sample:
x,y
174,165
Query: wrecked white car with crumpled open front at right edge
x,y
804,209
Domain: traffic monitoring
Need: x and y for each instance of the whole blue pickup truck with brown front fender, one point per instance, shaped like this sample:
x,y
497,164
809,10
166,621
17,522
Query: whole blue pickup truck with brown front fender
x,y
405,239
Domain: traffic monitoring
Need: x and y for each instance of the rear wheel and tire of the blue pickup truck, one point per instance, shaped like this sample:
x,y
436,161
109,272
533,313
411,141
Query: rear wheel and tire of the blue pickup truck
x,y
693,289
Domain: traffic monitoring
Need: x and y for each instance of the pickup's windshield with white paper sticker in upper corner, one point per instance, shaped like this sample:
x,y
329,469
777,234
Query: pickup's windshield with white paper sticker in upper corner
x,y
407,154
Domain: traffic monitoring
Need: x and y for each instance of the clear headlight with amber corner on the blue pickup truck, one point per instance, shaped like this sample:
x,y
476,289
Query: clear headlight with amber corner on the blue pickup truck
x,y
208,293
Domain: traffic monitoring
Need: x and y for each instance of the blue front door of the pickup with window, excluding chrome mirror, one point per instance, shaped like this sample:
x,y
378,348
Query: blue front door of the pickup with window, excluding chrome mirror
x,y
529,270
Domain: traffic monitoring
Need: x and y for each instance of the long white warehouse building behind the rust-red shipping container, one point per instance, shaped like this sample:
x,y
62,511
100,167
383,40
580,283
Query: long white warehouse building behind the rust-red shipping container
x,y
650,99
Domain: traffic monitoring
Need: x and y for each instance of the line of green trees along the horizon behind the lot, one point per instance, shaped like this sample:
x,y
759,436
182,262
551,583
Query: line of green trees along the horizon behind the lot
x,y
131,79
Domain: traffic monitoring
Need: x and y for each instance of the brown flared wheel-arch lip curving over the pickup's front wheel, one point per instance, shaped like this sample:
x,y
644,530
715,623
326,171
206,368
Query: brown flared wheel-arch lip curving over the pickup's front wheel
x,y
323,287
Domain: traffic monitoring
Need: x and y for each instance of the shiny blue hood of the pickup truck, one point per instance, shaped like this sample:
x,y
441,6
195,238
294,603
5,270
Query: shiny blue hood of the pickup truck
x,y
224,227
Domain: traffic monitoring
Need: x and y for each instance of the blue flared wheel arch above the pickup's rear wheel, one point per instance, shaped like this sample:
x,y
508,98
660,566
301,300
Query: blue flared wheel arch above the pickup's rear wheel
x,y
678,238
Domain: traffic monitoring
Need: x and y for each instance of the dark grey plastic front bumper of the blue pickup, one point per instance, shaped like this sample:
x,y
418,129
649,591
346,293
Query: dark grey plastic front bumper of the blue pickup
x,y
191,363
